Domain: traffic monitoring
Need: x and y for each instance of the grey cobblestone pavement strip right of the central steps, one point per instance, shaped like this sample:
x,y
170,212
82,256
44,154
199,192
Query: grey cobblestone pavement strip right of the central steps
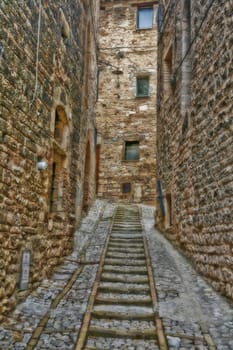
x,y
192,312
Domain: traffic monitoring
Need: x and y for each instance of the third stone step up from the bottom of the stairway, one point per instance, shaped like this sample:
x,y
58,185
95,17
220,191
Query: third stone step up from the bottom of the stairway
x,y
124,300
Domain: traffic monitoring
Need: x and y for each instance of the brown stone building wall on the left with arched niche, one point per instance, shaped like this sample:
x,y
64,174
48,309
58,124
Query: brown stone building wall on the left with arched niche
x,y
48,70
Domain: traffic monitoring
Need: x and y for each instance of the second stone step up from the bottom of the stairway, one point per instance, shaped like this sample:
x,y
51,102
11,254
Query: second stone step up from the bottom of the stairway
x,y
123,312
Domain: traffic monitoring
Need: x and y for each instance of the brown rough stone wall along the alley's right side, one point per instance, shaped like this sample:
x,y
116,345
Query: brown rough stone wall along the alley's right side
x,y
195,134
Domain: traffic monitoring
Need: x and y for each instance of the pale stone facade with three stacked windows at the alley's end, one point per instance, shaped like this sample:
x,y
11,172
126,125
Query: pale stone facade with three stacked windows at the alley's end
x,y
126,109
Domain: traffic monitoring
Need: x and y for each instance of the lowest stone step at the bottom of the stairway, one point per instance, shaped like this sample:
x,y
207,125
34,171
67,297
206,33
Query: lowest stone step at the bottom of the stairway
x,y
122,333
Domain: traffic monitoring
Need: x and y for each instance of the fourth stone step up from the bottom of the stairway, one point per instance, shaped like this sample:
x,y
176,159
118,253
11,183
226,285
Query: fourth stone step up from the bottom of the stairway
x,y
123,288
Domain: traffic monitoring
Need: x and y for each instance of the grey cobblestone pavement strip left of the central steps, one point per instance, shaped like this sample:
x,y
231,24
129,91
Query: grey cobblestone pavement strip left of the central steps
x,y
50,317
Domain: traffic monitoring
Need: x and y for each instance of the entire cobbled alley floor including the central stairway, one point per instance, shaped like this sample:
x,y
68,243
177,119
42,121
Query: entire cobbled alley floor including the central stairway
x,y
56,314
